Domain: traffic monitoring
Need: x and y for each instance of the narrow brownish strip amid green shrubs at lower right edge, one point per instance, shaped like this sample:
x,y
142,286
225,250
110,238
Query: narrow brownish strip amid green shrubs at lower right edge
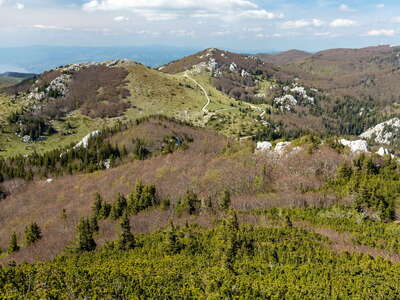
x,y
341,242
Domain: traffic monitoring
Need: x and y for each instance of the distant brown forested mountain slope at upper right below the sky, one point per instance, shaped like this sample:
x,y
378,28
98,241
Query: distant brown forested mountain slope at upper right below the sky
x,y
370,73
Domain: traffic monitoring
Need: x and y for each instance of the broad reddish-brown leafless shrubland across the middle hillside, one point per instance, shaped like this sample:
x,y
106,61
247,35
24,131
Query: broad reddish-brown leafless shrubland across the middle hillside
x,y
255,181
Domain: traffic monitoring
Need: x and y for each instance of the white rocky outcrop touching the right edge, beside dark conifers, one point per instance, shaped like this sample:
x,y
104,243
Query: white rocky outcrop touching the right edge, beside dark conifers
x,y
384,133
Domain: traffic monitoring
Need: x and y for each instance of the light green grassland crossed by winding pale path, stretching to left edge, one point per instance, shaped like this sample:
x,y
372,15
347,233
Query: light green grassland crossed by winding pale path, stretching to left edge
x,y
152,92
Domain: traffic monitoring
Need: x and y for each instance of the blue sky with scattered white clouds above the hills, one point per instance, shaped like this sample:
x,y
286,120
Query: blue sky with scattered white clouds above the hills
x,y
245,25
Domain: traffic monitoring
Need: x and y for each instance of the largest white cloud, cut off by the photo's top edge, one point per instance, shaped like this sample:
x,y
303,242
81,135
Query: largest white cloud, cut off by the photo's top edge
x,y
174,9
